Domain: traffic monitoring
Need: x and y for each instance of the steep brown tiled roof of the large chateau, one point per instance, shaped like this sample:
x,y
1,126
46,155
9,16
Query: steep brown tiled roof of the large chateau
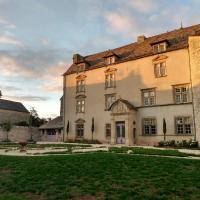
x,y
176,39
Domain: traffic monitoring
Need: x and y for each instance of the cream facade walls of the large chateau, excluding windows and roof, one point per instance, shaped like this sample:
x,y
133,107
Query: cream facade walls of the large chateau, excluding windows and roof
x,y
131,78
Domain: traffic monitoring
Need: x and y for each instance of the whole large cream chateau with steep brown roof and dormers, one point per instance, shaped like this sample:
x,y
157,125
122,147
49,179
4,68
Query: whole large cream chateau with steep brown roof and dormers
x,y
131,90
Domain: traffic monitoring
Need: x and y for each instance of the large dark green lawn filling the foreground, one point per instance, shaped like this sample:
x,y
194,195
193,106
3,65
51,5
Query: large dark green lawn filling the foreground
x,y
98,176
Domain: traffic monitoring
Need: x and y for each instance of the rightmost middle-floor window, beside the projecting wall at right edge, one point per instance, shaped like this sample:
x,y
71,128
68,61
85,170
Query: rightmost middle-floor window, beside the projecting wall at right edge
x,y
181,94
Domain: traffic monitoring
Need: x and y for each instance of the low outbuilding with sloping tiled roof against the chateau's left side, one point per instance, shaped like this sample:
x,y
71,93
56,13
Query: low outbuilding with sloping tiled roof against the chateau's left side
x,y
52,131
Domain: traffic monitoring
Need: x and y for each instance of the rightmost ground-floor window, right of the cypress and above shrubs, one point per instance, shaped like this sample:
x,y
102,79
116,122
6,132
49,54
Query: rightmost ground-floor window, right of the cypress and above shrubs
x,y
183,125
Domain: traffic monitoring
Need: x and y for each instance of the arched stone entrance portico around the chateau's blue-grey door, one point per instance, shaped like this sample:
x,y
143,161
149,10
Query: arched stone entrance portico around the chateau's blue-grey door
x,y
123,122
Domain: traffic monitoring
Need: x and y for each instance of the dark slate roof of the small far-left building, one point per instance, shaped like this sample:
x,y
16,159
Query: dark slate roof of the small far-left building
x,y
12,105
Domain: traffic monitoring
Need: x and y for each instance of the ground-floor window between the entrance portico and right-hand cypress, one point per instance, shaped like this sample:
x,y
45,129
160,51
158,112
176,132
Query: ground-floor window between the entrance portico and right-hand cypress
x,y
149,126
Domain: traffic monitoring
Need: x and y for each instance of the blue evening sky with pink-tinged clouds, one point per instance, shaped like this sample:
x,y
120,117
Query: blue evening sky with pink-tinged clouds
x,y
39,37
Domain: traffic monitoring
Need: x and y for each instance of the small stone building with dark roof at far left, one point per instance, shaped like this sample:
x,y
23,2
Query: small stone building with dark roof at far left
x,y
12,111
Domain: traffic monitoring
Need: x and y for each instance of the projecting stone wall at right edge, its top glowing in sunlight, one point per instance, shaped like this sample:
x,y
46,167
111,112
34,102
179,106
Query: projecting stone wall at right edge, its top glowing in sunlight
x,y
194,52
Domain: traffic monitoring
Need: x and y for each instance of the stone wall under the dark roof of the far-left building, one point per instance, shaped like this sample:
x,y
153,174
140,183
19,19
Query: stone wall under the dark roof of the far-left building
x,y
13,116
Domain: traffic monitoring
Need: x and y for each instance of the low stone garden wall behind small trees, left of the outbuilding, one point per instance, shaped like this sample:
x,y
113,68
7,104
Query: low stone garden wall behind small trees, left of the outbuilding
x,y
20,133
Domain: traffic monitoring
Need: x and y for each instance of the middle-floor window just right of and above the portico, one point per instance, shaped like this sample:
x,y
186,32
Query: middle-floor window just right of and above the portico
x,y
148,96
